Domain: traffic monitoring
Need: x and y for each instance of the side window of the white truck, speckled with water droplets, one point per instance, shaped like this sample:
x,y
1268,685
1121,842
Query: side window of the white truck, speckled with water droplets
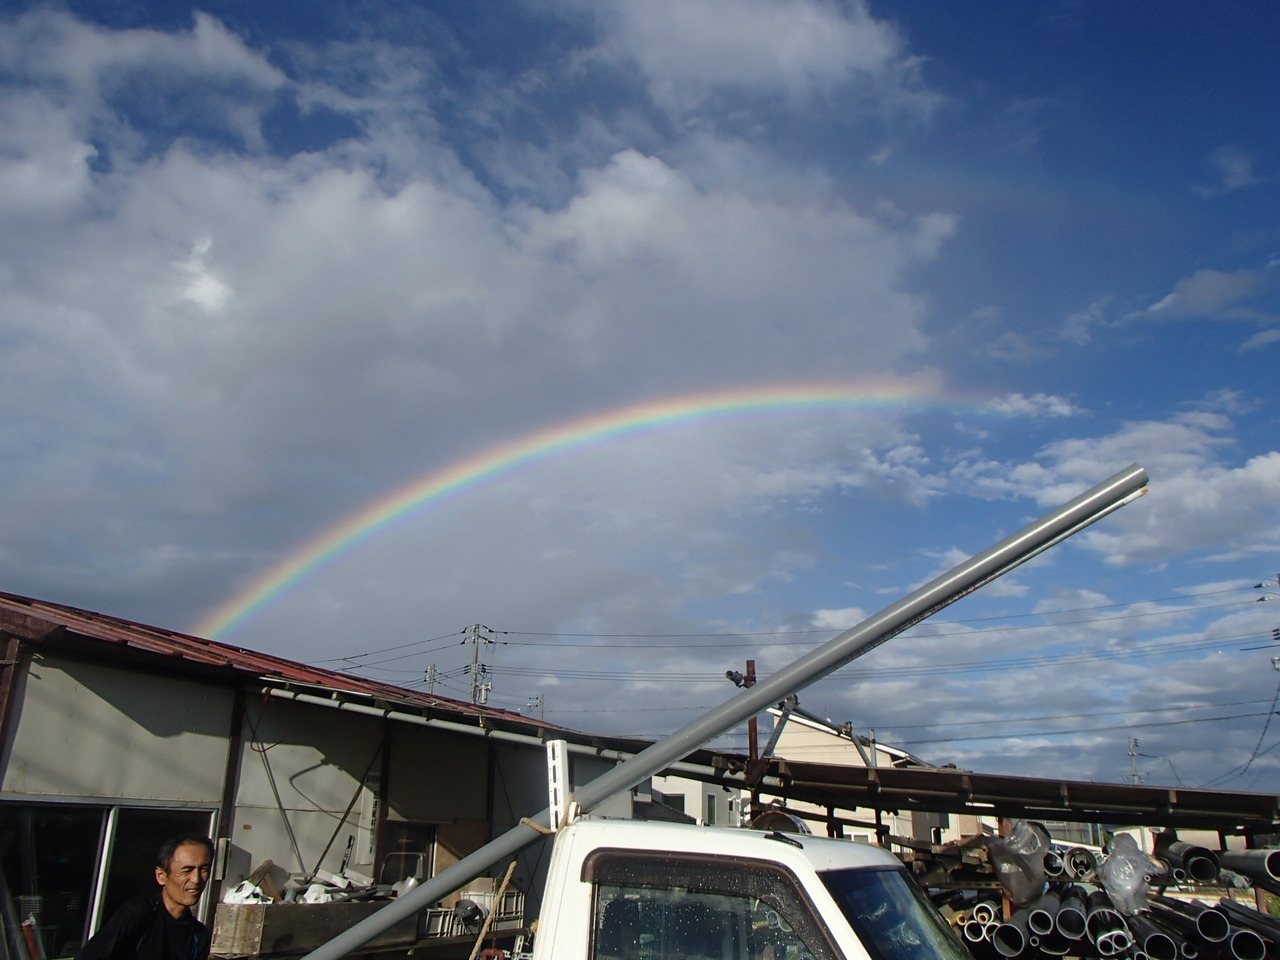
x,y
676,907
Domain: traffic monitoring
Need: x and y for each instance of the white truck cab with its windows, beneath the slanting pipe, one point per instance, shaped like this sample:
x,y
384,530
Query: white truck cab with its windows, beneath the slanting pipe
x,y
628,890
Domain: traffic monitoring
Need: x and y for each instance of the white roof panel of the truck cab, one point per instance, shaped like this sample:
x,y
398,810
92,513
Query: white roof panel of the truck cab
x,y
796,849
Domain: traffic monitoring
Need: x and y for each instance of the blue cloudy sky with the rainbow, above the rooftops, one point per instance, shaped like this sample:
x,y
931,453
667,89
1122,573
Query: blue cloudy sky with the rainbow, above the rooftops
x,y
656,337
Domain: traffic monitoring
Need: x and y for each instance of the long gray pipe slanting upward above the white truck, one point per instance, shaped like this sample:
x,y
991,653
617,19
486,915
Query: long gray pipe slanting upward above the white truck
x,y
1031,541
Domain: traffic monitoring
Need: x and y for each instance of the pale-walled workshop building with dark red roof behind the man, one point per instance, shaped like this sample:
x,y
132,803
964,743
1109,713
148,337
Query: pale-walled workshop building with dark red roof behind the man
x,y
116,735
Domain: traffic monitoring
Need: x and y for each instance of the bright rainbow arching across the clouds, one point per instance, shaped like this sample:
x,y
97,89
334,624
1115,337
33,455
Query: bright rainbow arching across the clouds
x,y
473,472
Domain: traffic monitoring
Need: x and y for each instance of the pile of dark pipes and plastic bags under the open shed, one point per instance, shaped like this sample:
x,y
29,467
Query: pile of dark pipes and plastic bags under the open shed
x,y
1075,902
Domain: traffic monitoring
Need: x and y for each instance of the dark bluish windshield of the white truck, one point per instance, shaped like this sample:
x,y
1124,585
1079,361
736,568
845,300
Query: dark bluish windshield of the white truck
x,y
893,917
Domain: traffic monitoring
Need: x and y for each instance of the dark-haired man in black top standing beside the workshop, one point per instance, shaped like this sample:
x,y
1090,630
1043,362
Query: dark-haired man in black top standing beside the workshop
x,y
161,926
